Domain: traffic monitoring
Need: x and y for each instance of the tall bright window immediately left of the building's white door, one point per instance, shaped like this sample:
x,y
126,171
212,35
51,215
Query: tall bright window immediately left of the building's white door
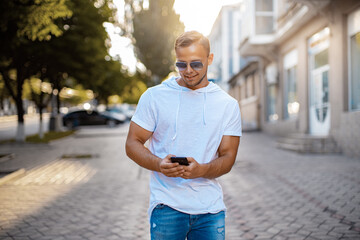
x,y
291,104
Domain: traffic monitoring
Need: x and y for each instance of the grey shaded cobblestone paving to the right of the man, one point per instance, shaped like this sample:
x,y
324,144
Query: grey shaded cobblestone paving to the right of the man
x,y
273,194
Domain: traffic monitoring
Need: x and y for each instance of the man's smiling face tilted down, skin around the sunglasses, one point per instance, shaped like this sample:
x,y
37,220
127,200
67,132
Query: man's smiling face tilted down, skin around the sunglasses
x,y
193,79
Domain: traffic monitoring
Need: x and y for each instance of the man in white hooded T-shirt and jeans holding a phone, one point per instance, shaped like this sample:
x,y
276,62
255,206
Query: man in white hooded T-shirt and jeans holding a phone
x,y
186,116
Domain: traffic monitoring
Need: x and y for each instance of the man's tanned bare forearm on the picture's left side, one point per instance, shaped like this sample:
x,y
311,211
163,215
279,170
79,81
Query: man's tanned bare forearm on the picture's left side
x,y
141,155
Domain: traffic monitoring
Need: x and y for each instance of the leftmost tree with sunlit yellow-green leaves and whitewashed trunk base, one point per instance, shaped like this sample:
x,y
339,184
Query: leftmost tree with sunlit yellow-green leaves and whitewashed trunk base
x,y
21,23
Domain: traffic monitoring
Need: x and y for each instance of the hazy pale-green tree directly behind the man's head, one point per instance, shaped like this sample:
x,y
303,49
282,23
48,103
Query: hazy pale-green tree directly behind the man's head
x,y
154,31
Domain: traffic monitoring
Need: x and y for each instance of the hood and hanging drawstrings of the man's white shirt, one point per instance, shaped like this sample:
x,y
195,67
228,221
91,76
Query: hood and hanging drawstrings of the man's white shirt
x,y
172,83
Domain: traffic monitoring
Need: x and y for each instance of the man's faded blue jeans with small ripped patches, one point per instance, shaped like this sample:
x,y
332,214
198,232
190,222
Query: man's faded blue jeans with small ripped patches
x,y
169,224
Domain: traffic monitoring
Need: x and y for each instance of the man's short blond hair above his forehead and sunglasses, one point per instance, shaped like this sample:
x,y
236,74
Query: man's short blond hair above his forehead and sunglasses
x,y
190,37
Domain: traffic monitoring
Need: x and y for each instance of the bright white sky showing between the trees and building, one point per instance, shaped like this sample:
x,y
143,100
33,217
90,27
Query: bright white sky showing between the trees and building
x,y
198,15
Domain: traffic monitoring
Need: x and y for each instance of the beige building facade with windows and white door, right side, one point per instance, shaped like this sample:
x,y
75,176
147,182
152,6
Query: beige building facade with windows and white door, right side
x,y
302,79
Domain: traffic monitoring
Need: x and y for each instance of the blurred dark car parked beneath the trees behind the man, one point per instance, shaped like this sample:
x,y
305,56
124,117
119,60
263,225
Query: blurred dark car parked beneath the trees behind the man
x,y
92,117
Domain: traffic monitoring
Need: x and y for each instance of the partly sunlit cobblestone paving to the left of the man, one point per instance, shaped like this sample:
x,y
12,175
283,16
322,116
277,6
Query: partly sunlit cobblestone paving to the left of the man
x,y
97,198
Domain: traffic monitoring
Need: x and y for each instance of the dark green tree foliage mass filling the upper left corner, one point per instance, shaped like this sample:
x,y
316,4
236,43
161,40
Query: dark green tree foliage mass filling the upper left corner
x,y
54,40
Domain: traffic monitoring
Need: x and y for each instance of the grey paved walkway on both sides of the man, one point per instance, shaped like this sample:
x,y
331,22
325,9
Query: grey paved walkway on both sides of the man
x,y
85,187
